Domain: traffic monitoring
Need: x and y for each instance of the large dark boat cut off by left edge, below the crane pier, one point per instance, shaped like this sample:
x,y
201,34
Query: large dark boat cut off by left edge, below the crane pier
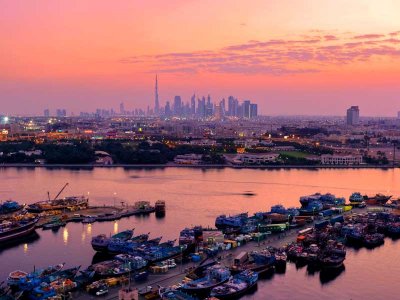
x,y
11,230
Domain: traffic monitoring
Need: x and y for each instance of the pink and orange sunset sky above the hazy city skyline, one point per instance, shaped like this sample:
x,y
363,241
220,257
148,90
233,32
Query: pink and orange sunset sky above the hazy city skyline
x,y
292,57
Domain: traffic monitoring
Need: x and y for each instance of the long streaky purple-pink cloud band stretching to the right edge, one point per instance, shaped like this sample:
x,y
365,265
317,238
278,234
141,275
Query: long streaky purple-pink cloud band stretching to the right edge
x,y
278,57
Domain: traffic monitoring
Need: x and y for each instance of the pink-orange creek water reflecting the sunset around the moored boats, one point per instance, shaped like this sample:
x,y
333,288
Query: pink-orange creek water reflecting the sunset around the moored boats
x,y
197,196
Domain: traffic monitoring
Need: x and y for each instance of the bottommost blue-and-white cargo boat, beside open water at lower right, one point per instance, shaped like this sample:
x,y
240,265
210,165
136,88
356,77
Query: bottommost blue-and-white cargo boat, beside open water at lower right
x,y
239,285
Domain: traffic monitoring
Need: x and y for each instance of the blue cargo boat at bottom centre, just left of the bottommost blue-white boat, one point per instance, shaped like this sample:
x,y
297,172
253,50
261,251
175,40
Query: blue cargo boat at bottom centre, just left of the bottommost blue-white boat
x,y
215,276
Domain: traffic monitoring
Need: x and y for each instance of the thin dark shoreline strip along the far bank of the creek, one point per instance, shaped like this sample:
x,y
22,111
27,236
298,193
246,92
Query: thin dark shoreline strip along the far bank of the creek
x,y
205,166
